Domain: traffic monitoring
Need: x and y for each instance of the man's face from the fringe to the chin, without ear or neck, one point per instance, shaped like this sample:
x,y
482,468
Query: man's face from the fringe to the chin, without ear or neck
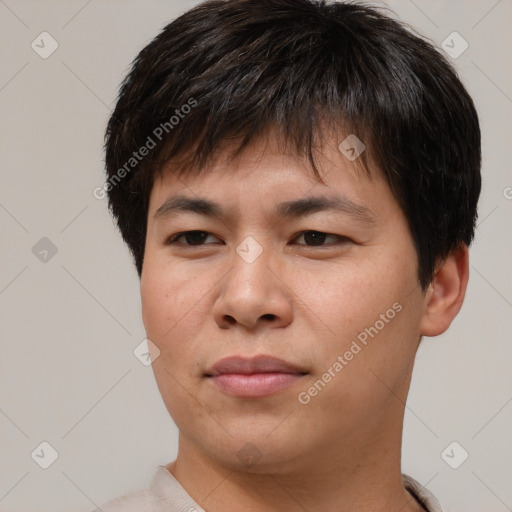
x,y
333,292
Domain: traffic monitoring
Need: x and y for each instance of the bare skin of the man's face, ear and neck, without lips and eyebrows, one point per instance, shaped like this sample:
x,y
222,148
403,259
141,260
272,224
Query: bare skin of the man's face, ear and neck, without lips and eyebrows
x,y
304,303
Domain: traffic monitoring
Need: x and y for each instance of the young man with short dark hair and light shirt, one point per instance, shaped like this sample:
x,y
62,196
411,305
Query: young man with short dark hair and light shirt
x,y
297,182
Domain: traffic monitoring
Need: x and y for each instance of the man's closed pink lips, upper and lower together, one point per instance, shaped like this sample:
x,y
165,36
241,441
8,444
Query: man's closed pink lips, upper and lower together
x,y
254,377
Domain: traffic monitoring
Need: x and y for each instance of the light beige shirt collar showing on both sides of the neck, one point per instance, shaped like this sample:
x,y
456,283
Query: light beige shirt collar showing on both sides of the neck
x,y
165,494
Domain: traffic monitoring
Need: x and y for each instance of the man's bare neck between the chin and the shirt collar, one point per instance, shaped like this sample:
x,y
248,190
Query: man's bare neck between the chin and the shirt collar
x,y
362,473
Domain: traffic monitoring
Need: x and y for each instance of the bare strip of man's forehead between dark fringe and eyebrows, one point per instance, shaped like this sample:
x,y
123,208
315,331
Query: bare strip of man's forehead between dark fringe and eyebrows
x,y
273,157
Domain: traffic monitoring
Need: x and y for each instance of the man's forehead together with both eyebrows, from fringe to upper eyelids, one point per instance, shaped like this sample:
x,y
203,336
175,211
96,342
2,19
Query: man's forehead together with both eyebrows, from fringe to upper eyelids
x,y
266,180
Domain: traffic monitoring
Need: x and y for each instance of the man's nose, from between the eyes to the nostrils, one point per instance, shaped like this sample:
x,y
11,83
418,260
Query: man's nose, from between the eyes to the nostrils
x,y
254,293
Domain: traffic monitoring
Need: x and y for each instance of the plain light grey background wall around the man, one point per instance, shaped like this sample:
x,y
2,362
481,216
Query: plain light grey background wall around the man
x,y
70,324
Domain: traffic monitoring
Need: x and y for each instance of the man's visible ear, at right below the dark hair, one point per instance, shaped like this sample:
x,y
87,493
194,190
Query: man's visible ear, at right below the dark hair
x,y
446,292
